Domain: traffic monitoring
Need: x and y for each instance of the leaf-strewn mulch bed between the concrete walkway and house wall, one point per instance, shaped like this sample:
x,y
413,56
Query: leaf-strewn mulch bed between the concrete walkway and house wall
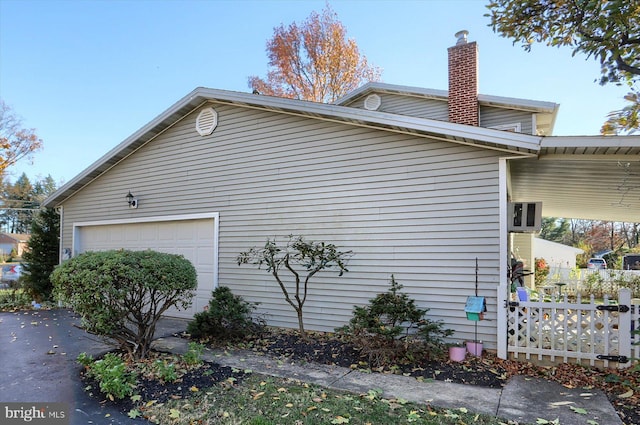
x,y
621,386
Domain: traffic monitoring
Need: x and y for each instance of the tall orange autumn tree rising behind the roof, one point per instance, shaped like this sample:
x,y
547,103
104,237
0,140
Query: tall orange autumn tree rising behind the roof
x,y
314,61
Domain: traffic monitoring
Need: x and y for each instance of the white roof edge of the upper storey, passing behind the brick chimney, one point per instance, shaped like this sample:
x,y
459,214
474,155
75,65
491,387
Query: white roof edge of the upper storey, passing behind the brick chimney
x,y
546,111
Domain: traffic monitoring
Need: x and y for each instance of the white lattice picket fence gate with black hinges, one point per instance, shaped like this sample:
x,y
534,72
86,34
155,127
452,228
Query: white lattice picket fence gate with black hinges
x,y
552,328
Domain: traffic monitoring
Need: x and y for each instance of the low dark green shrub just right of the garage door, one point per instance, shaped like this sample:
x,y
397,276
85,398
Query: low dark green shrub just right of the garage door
x,y
228,316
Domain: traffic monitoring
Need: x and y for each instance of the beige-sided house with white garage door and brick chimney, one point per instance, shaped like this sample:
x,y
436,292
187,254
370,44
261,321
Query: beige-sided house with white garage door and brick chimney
x,y
415,184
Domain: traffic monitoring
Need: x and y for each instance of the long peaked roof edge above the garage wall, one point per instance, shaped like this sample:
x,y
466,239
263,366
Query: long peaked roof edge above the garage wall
x,y
514,143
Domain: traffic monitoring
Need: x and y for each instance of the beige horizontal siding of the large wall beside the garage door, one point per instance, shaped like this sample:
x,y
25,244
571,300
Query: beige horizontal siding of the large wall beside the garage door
x,y
420,209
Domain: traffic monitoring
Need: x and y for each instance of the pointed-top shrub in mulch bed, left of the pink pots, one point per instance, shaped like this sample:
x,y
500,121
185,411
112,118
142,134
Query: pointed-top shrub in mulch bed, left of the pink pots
x,y
392,328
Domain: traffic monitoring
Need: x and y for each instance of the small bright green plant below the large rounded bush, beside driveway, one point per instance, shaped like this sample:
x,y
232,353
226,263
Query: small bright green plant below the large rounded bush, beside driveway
x,y
111,374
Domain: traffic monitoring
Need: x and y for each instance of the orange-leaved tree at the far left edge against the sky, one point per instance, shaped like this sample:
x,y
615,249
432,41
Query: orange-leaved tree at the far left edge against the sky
x,y
15,142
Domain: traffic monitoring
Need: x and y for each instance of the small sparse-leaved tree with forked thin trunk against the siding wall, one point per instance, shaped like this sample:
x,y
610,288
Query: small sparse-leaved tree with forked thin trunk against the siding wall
x,y
302,260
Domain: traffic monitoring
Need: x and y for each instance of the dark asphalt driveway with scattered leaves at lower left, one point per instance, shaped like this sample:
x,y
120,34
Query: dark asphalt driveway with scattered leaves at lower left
x,y
38,351
